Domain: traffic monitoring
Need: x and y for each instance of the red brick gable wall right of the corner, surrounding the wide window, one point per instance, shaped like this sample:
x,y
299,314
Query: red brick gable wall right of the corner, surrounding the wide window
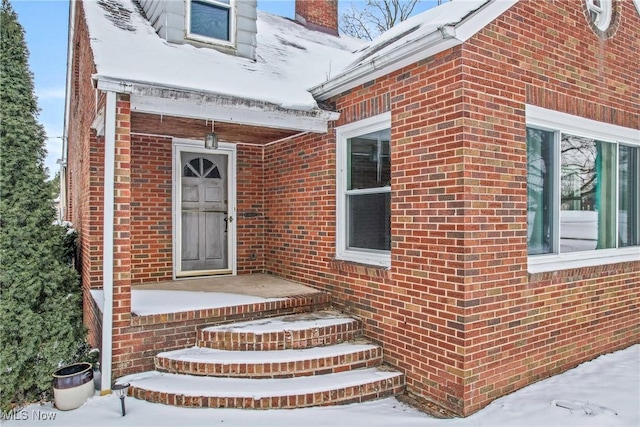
x,y
520,331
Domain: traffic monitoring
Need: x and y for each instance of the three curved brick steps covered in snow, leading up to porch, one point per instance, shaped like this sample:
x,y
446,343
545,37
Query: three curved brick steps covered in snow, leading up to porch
x,y
299,360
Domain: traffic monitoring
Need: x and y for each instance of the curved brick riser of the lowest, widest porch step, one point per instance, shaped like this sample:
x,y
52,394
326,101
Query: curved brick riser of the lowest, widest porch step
x,y
352,394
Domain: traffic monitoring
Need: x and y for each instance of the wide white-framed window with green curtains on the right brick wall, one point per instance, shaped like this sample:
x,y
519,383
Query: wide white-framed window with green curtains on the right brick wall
x,y
583,190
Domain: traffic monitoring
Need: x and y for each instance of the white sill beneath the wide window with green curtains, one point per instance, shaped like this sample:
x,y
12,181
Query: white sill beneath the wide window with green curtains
x,y
554,262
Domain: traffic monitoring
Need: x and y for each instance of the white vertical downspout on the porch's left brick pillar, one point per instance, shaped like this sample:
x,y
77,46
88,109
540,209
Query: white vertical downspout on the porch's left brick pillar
x,y
107,251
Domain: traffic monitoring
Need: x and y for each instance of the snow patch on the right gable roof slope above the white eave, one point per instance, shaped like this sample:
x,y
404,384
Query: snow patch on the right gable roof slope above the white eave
x,y
417,27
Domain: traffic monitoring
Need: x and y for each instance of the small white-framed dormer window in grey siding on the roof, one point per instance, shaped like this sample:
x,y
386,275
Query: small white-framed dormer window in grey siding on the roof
x,y
211,21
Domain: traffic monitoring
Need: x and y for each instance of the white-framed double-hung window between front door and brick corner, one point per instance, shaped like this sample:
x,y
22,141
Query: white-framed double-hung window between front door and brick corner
x,y
363,216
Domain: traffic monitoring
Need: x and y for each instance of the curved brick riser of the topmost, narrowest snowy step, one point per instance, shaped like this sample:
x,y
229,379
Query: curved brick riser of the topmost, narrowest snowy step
x,y
281,340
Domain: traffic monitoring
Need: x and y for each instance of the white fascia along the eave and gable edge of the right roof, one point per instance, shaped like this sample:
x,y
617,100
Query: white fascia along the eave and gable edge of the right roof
x,y
440,40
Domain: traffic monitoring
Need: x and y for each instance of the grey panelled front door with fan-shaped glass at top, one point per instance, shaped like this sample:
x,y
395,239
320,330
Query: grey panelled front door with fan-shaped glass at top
x,y
204,214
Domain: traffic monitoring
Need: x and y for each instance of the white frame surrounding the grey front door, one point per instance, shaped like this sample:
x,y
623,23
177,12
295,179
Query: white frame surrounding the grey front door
x,y
196,146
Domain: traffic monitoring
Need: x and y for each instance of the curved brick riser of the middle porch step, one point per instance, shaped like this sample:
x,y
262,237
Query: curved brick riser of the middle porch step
x,y
327,365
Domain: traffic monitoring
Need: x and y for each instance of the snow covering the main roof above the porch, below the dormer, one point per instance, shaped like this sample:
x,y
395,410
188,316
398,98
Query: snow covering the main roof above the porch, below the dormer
x,y
289,57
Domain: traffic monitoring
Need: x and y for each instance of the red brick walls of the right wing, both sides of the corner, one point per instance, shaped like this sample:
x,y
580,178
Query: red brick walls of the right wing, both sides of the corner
x,y
458,311
